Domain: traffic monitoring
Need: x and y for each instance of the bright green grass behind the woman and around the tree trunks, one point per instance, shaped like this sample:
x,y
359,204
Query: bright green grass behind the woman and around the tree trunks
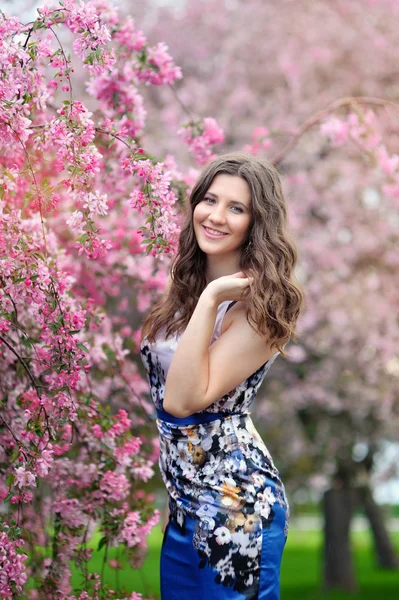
x,y
300,572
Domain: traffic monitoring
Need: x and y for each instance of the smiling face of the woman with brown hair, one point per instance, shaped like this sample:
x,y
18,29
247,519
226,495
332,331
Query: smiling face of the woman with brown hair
x,y
222,218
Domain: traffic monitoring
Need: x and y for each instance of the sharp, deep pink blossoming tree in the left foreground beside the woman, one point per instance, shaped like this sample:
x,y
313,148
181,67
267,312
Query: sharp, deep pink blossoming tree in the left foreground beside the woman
x,y
86,216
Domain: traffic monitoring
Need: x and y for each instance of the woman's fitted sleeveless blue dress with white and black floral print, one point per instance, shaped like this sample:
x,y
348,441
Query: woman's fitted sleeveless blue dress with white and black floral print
x,y
229,512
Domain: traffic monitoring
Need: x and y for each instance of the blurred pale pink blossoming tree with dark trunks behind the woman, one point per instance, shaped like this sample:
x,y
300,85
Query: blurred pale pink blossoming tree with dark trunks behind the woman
x,y
316,84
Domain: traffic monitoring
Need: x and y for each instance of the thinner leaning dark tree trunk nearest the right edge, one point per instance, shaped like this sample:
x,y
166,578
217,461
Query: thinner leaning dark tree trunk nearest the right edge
x,y
385,552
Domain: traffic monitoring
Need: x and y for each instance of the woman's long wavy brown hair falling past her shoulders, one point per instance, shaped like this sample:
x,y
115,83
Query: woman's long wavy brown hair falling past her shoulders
x,y
268,253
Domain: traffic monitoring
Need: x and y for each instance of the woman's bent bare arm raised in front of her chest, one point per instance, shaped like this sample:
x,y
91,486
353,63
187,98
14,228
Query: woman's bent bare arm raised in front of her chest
x,y
199,374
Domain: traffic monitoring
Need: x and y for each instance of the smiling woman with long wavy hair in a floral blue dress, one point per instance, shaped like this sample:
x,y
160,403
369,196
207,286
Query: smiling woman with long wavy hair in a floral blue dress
x,y
230,306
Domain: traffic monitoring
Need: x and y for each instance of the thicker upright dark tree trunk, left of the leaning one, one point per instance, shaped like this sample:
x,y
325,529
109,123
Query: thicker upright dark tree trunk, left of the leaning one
x,y
338,504
